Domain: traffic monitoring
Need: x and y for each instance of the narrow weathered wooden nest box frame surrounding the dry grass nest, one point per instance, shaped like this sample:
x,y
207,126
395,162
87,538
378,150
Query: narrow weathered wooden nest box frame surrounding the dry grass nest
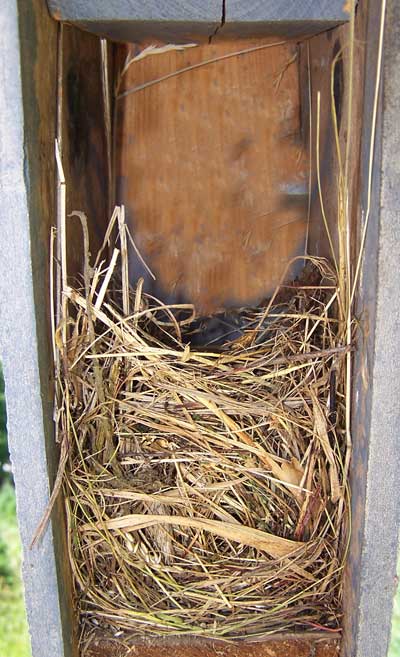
x,y
212,164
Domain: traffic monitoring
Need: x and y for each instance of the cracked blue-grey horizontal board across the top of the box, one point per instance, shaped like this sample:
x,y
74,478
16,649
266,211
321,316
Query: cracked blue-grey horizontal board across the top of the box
x,y
130,20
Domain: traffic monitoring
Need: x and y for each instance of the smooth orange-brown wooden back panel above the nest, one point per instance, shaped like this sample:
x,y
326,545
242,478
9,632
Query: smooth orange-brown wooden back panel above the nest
x,y
212,169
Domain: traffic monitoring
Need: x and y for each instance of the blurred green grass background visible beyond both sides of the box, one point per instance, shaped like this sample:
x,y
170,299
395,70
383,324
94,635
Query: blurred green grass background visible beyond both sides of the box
x,y
14,637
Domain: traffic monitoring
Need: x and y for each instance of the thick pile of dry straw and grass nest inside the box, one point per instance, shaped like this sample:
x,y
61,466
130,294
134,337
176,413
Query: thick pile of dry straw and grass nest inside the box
x,y
205,488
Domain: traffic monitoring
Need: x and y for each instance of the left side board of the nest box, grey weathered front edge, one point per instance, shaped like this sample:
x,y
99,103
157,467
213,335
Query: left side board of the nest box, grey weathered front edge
x,y
46,572
